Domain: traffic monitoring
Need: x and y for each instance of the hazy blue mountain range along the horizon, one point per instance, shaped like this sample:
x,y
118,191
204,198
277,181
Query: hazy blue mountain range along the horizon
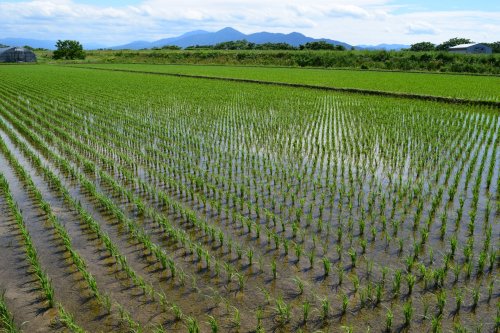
x,y
201,37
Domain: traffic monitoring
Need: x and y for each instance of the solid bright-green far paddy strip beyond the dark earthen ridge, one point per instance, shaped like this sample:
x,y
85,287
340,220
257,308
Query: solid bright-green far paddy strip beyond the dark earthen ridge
x,y
446,85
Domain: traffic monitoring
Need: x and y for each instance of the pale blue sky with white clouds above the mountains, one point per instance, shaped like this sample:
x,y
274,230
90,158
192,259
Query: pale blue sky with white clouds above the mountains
x,y
355,22
